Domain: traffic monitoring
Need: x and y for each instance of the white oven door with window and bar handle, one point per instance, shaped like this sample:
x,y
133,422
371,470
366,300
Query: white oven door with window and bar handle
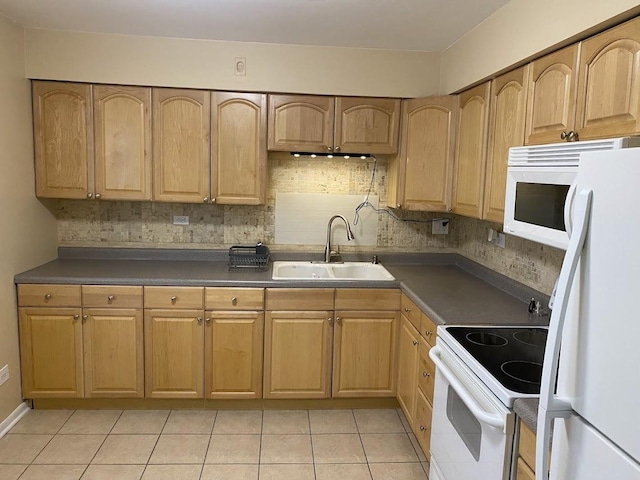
x,y
472,431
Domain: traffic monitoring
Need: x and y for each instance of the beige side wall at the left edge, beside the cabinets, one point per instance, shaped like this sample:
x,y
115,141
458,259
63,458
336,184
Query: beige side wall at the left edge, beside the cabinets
x,y
27,229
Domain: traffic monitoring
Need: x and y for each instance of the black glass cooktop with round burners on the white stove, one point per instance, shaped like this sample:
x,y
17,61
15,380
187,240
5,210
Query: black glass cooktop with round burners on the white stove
x,y
512,355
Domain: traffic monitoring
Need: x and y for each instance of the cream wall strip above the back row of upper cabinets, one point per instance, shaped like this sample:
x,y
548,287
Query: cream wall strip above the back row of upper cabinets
x,y
105,58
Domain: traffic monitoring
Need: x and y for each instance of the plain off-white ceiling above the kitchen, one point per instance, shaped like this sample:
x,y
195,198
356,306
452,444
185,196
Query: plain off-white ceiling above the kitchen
x,y
421,25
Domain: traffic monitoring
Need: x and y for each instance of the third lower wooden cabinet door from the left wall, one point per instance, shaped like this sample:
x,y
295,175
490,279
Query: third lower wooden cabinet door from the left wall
x,y
174,353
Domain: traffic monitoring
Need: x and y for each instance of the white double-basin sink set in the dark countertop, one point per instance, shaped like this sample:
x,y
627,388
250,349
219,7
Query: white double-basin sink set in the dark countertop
x,y
330,271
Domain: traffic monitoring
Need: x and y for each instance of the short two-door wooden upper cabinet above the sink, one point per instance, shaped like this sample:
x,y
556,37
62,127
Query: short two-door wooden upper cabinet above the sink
x,y
308,123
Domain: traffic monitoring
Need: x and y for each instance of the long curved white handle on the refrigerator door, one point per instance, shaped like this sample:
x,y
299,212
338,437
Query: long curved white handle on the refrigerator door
x,y
551,405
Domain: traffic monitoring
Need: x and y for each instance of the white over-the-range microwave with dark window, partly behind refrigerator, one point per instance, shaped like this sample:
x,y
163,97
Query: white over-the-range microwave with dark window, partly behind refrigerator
x,y
539,180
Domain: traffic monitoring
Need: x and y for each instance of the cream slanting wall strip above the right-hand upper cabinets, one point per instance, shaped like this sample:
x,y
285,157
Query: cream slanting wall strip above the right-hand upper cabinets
x,y
519,30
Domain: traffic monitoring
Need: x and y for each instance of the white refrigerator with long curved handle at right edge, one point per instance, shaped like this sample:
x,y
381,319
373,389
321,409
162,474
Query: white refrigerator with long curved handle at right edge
x,y
590,389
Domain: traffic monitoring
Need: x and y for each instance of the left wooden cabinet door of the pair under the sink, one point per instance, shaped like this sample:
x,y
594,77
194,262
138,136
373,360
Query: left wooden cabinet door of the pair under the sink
x,y
297,356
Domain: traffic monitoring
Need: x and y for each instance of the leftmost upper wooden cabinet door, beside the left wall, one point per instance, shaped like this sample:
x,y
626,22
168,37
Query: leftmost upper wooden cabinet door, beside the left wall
x,y
63,137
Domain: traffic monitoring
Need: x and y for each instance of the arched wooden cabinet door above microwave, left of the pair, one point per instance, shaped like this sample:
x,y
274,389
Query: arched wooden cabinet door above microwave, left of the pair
x,y
551,97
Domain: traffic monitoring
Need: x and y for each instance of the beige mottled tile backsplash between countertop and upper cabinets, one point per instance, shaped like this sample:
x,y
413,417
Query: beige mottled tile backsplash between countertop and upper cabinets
x,y
149,225
